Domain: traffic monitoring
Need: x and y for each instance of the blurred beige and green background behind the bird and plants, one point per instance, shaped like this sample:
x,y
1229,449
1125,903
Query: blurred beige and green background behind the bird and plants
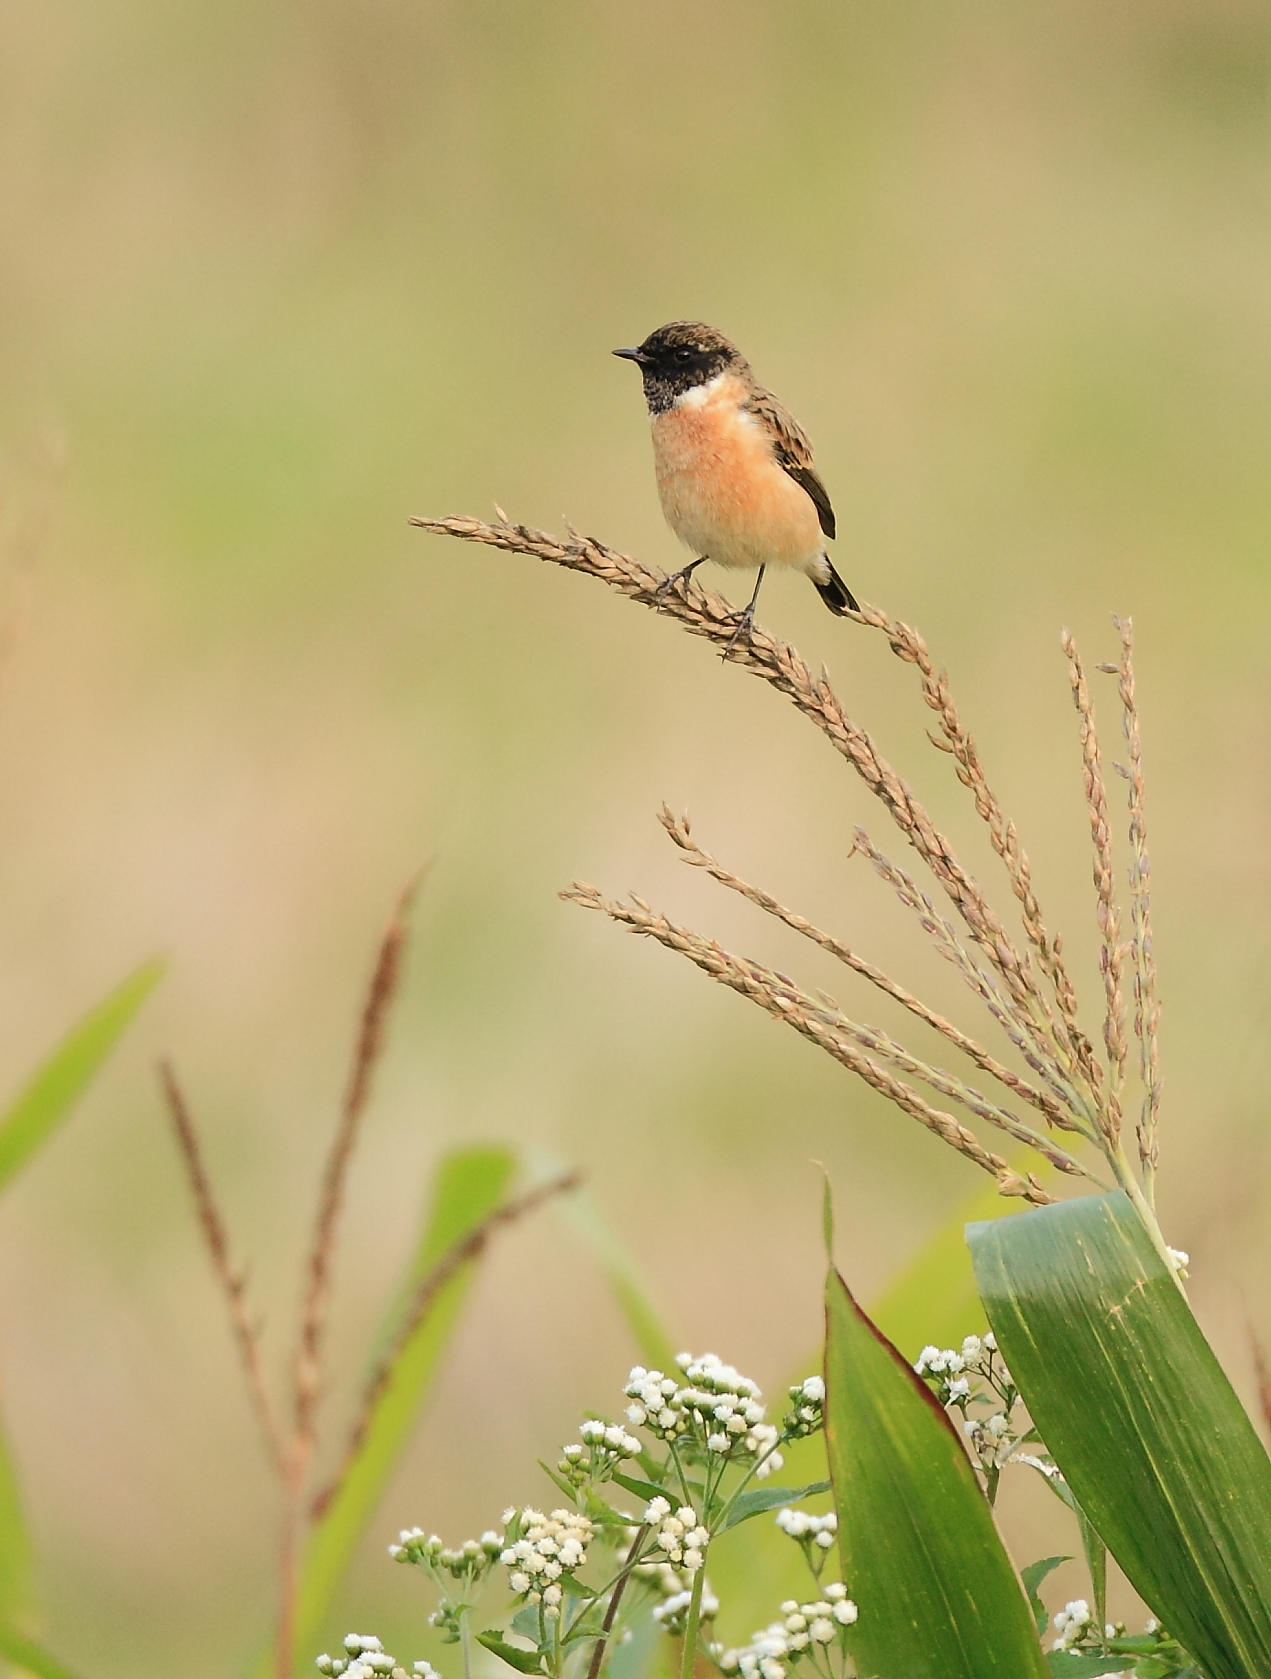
x,y
278,276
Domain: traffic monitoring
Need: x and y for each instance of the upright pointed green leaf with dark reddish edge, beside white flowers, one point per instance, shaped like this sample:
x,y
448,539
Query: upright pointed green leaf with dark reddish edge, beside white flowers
x,y
936,1591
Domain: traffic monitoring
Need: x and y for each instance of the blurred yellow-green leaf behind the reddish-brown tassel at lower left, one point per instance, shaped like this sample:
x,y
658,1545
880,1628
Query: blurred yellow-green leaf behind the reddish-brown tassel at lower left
x,y
469,1186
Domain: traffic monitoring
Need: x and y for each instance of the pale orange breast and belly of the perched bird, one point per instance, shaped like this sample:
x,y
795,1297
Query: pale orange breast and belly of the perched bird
x,y
726,496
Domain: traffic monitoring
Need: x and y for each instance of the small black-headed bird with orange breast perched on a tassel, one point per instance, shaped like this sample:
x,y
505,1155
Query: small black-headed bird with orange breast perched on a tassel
x,y
735,468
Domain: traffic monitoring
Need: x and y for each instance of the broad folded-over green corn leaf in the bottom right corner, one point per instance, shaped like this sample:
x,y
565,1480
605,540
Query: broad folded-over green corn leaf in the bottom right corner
x,y
1141,1420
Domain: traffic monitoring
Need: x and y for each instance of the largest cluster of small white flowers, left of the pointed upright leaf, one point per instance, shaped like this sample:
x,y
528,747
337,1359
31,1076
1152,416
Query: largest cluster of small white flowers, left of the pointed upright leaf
x,y
716,1406
